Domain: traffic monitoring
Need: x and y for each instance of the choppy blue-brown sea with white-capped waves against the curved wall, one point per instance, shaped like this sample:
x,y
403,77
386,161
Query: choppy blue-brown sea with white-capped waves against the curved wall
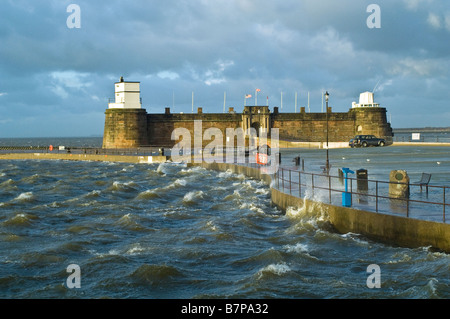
x,y
171,231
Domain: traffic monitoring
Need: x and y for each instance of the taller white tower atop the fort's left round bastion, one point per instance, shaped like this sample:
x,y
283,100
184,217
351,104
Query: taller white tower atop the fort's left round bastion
x,y
127,95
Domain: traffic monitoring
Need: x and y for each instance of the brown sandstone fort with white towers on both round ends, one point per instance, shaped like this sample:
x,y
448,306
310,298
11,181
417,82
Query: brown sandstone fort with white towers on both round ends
x,y
128,125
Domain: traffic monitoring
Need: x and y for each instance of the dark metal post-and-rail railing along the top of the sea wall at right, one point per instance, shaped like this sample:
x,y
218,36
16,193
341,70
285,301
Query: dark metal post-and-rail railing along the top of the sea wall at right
x,y
372,195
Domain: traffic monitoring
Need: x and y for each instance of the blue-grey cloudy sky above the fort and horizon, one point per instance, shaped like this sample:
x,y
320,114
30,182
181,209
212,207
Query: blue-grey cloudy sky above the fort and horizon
x,y
58,65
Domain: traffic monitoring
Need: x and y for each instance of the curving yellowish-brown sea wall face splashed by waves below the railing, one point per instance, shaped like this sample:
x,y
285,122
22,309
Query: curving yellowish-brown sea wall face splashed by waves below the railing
x,y
390,229
